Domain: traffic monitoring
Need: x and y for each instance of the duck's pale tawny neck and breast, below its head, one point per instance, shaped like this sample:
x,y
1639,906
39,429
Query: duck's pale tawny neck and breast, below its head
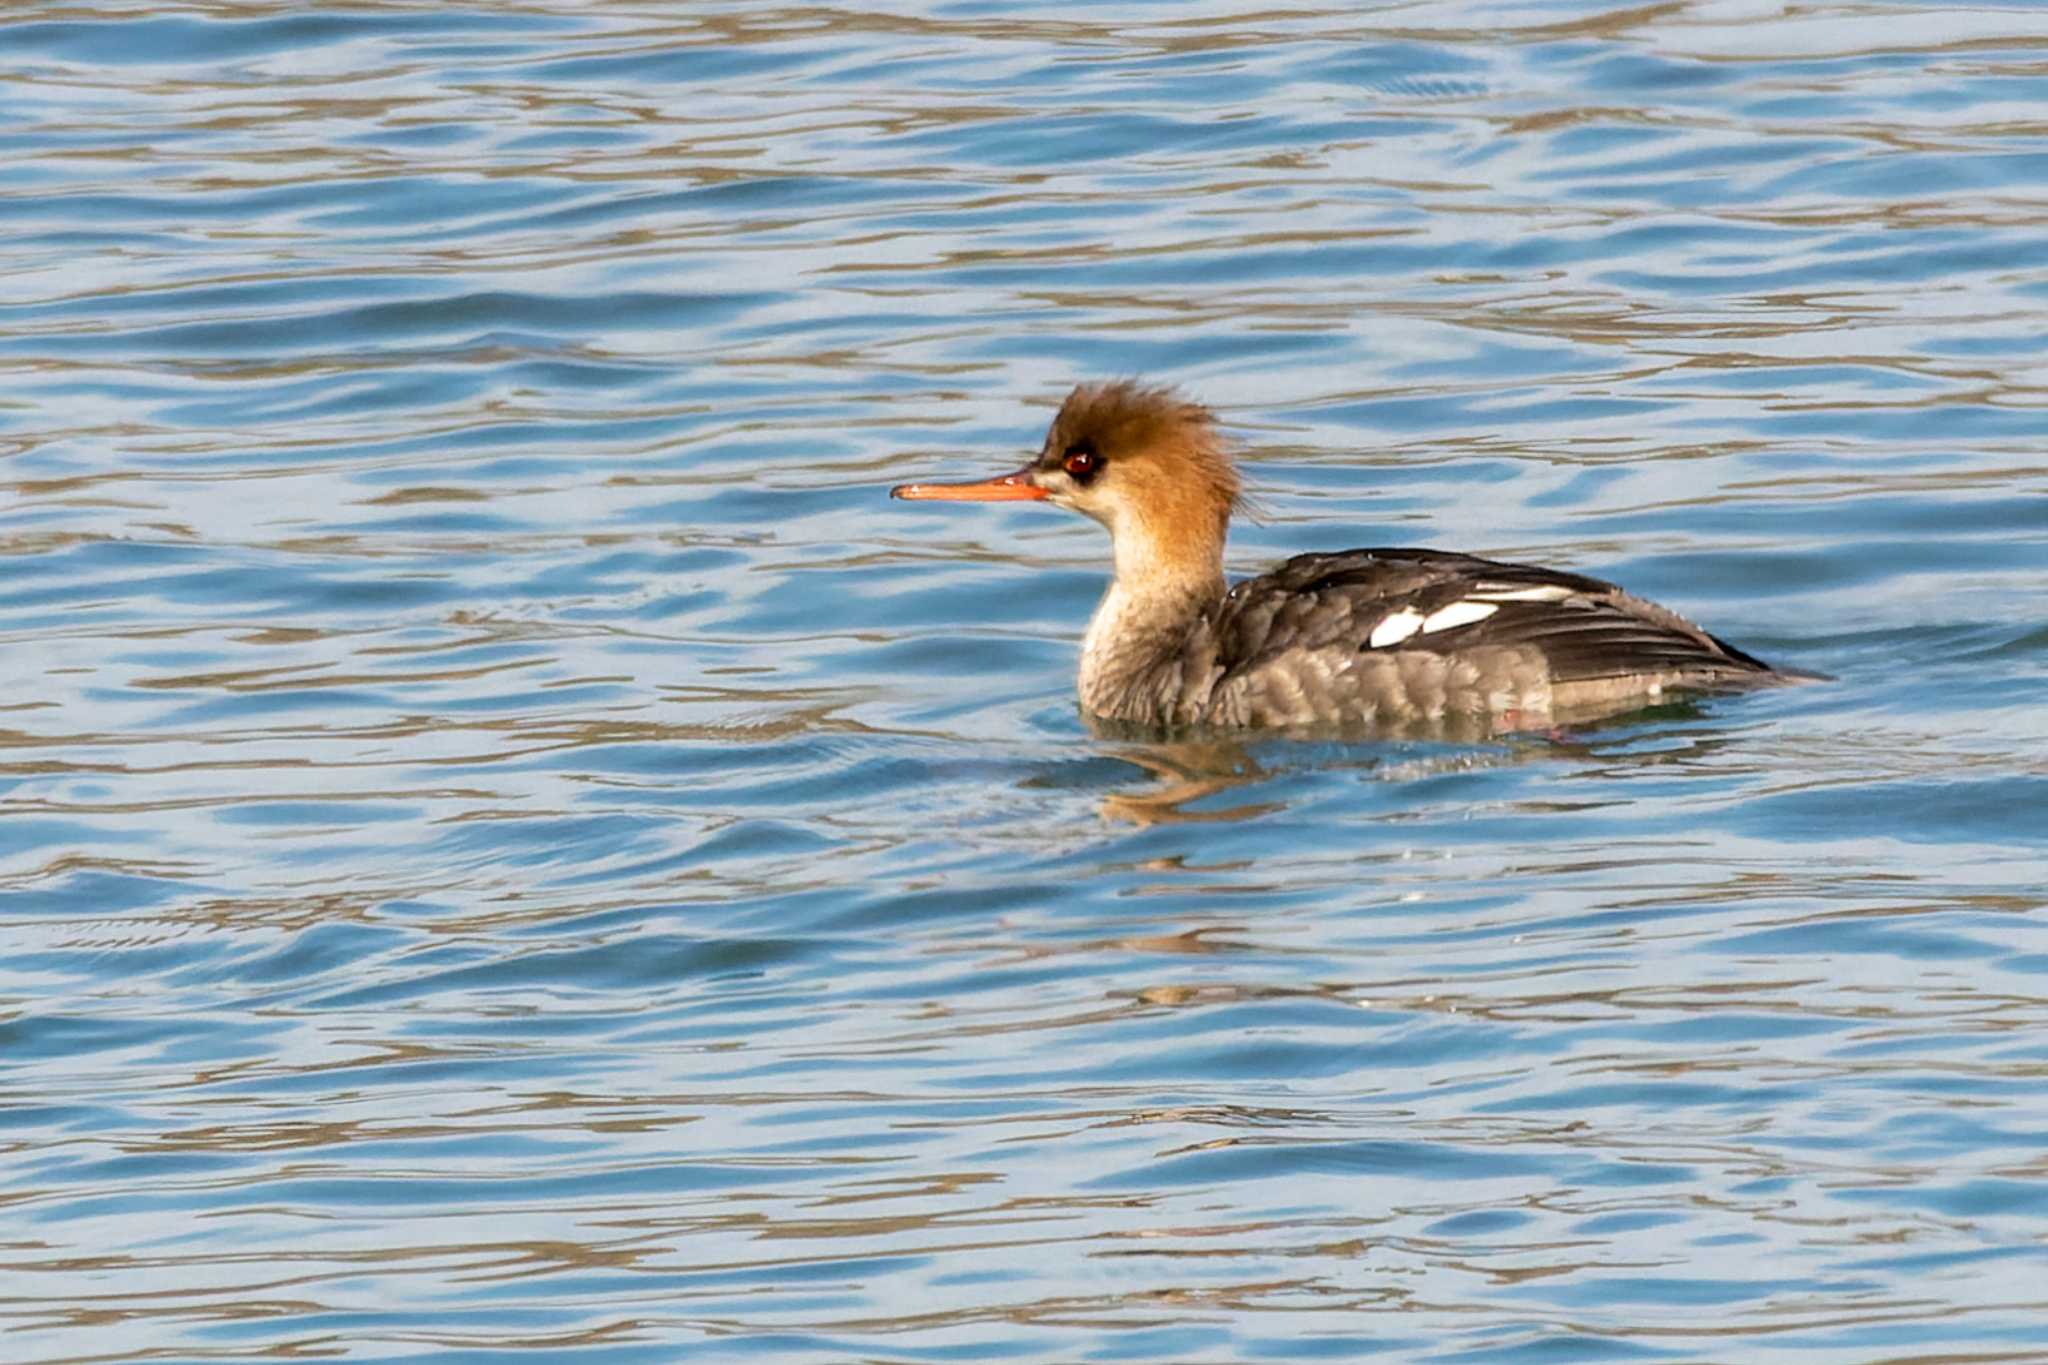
x,y
1134,648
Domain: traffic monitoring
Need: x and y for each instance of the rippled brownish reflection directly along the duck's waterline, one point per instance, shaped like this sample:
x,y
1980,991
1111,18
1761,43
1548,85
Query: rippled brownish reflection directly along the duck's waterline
x,y
1193,768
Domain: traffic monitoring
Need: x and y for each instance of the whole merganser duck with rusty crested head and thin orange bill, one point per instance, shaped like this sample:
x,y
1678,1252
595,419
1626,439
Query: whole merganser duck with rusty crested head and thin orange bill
x,y
1377,637
